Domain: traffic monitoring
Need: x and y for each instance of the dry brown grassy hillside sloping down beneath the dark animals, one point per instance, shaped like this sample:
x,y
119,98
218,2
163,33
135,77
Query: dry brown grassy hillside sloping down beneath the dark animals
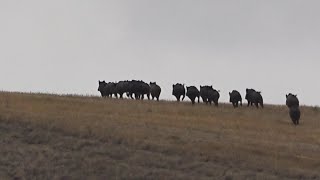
x,y
73,137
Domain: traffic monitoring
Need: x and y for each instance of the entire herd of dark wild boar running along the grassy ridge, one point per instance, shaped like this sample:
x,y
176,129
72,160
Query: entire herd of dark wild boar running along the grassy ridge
x,y
135,89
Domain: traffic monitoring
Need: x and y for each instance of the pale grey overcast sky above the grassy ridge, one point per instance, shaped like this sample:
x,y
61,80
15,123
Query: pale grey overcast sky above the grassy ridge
x,y
66,46
